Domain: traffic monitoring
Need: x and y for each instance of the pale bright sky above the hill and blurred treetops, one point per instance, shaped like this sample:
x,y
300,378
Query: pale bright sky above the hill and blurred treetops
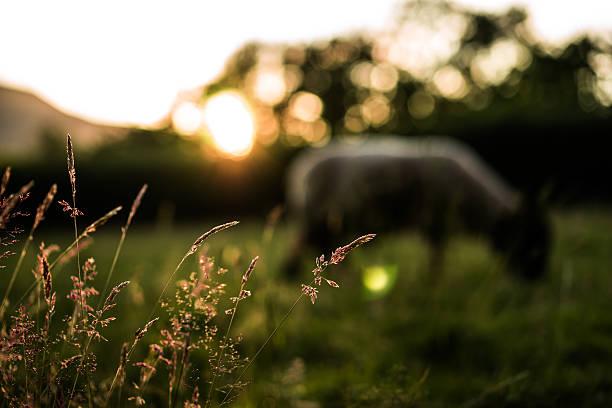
x,y
123,62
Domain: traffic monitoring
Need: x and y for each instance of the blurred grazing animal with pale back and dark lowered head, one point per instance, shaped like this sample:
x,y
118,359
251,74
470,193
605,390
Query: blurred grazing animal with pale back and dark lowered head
x,y
436,185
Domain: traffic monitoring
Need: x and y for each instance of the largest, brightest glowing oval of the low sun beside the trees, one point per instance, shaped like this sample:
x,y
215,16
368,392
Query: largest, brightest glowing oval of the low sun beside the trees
x,y
230,122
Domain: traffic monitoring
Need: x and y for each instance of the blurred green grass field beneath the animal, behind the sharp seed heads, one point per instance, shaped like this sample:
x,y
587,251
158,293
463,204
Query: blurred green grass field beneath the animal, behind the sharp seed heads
x,y
387,337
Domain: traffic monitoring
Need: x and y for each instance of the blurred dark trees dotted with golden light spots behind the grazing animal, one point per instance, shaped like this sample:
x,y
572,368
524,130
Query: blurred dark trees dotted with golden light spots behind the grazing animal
x,y
441,69
